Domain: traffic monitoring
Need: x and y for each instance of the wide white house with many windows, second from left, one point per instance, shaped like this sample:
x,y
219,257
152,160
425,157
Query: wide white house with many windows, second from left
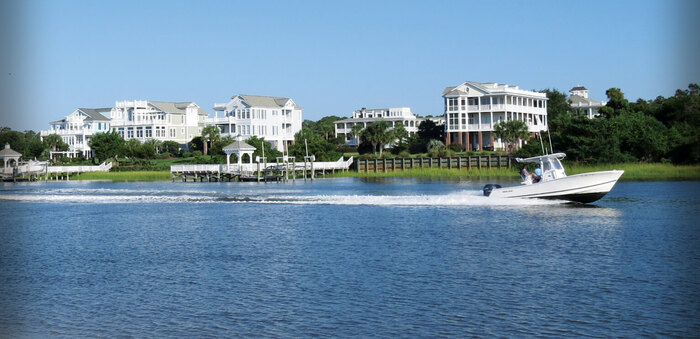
x,y
160,120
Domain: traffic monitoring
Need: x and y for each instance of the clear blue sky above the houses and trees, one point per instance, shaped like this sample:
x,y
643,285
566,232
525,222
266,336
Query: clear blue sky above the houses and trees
x,y
332,57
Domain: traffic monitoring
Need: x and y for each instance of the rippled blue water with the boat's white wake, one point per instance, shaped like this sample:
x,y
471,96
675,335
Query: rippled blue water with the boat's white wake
x,y
345,258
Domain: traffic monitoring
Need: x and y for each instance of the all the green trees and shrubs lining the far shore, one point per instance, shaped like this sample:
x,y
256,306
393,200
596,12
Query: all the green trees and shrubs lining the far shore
x,y
659,130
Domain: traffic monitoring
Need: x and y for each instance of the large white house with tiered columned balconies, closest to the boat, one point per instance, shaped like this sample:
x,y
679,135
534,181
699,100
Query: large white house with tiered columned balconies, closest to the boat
x,y
473,108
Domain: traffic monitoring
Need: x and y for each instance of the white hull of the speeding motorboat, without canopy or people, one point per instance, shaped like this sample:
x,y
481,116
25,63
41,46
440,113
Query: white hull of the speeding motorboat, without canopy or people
x,y
583,188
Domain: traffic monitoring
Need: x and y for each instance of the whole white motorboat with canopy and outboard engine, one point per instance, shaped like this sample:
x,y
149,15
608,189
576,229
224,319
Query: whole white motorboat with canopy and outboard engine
x,y
555,184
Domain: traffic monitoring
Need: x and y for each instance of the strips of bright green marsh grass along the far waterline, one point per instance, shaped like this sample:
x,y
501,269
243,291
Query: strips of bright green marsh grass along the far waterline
x,y
633,172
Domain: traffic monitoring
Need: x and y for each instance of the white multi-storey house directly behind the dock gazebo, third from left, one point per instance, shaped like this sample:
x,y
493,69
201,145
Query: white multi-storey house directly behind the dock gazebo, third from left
x,y
275,119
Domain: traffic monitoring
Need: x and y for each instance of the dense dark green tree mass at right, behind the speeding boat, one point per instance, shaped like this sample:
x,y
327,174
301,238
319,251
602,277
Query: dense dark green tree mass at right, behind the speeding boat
x,y
659,130
